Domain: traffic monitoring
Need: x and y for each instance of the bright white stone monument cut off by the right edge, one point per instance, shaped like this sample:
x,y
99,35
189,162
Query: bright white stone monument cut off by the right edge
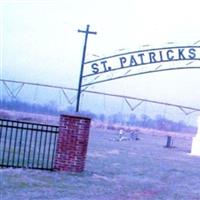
x,y
196,141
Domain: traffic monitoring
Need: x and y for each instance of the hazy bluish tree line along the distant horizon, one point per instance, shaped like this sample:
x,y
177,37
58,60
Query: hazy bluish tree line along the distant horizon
x,y
159,122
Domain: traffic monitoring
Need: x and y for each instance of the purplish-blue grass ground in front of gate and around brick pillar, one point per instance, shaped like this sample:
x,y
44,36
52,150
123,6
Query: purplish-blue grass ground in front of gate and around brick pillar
x,y
126,170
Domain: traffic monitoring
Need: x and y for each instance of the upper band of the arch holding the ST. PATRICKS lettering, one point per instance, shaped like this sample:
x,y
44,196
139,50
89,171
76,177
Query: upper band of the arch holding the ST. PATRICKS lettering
x,y
135,59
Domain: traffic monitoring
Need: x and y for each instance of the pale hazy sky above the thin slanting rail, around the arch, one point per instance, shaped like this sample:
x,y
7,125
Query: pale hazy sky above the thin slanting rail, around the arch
x,y
40,42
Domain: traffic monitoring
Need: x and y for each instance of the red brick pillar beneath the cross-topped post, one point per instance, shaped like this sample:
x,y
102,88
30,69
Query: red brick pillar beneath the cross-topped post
x,y
72,143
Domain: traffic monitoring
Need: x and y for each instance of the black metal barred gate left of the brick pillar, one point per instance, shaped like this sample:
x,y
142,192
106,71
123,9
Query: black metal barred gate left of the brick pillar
x,y
27,145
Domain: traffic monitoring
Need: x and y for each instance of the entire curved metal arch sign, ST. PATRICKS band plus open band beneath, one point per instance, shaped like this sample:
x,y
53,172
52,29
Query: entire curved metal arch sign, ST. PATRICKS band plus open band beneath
x,y
140,62
